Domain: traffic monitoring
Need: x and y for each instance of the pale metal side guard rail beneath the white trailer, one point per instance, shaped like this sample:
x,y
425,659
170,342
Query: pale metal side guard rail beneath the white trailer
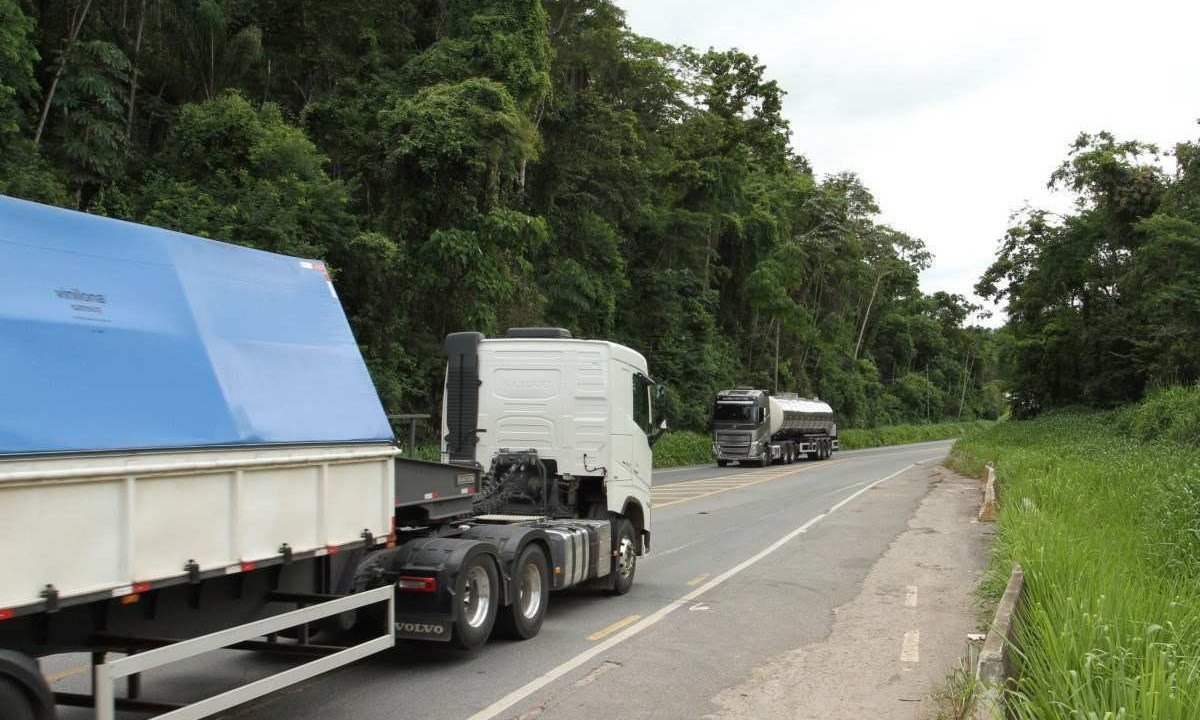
x,y
106,674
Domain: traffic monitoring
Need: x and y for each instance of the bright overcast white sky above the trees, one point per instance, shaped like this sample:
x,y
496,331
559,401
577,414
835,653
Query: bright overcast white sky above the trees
x,y
955,113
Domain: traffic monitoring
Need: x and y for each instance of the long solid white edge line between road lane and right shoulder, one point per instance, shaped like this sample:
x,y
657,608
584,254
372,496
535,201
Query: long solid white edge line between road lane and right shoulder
x,y
553,675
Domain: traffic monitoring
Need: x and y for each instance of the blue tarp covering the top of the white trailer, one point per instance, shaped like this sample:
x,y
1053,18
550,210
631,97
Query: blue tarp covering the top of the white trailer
x,y
119,337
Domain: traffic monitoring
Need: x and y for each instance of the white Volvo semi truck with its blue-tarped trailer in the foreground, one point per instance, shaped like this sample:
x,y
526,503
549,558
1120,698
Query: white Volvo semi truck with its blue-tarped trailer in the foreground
x,y
193,458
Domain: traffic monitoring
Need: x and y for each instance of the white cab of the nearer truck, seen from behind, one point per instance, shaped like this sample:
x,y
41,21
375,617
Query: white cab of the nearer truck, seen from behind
x,y
562,428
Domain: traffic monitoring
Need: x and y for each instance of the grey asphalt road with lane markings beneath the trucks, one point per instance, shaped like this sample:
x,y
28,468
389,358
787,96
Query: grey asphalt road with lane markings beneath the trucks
x,y
747,563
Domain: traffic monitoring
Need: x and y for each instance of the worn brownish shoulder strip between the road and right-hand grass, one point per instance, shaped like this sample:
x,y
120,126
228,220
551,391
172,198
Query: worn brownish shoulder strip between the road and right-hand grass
x,y
893,645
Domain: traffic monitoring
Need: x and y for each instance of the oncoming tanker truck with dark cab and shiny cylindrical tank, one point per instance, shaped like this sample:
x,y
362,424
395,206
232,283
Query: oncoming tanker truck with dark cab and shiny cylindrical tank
x,y
754,427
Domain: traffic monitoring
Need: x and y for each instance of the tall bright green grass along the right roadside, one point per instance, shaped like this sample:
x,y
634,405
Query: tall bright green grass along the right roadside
x,y
1107,526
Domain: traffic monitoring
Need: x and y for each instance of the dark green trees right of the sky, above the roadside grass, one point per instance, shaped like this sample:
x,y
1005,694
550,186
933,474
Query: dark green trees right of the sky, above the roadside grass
x,y
1105,302
